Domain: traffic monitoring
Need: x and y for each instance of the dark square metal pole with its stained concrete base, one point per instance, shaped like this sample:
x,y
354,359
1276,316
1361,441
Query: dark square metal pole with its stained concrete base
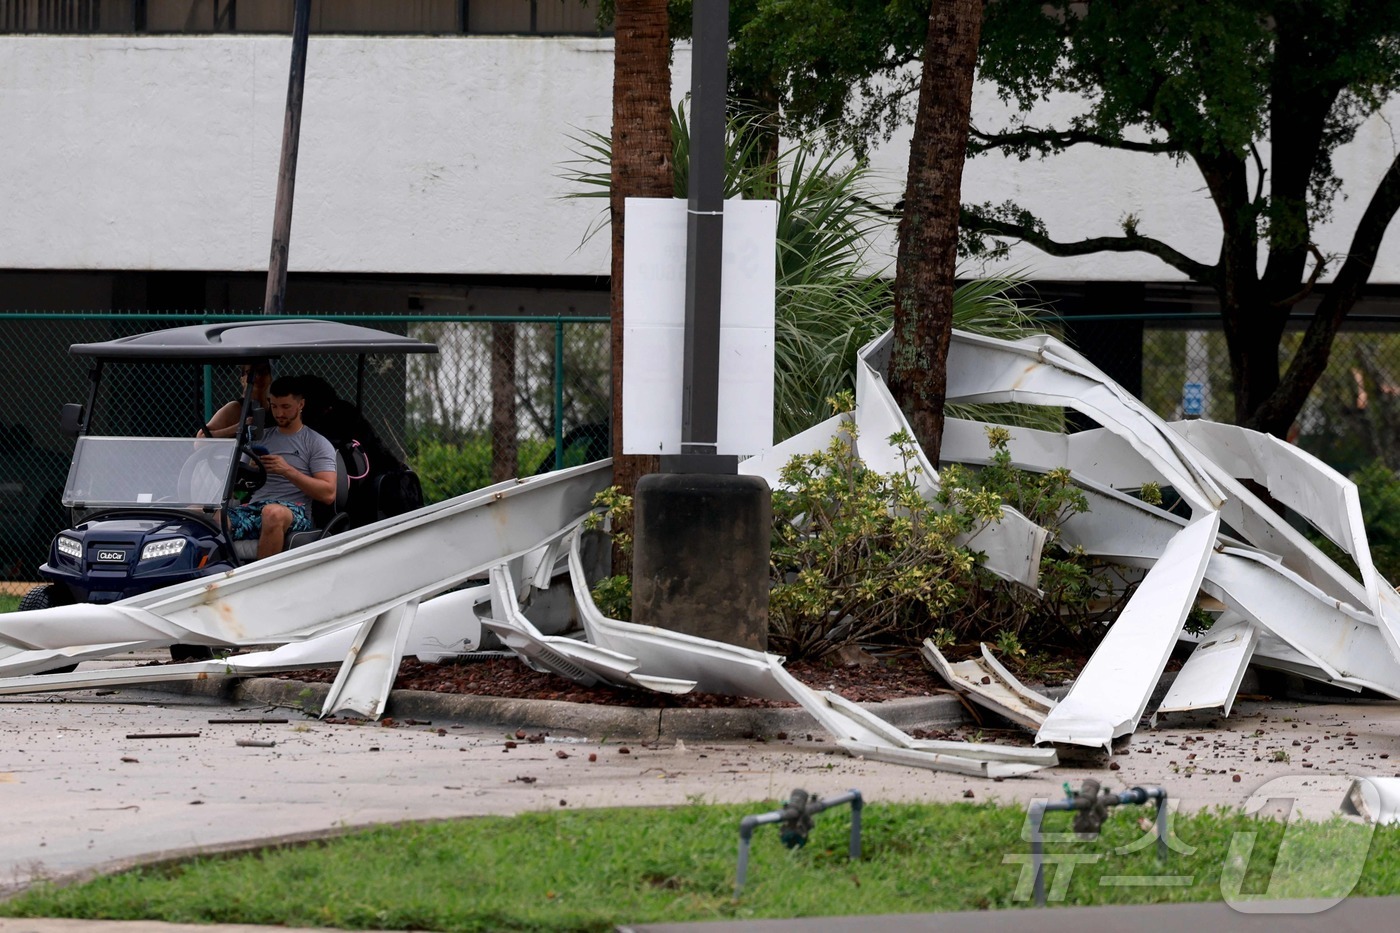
x,y
701,532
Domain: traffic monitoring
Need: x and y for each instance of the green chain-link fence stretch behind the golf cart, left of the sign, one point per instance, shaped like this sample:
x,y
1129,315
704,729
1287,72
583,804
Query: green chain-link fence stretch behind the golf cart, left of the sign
x,y
503,397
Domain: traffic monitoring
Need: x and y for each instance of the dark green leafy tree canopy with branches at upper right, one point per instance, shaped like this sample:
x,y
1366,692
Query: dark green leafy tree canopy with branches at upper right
x,y
1256,96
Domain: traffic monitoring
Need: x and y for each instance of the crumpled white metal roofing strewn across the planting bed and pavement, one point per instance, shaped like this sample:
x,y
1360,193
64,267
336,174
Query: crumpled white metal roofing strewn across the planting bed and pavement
x,y
1286,603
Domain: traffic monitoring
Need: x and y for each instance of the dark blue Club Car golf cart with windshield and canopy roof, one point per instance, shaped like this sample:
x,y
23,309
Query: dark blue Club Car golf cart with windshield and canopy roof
x,y
149,508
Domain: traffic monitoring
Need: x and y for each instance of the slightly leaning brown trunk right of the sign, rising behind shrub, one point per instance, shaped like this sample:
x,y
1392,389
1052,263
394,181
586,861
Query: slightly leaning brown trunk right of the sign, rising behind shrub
x,y
927,257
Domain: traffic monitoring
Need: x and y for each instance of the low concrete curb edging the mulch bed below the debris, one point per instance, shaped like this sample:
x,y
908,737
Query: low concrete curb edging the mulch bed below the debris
x,y
586,721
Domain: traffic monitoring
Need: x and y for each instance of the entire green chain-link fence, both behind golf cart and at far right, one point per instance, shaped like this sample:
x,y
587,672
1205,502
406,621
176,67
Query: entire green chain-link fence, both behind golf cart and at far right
x,y
517,396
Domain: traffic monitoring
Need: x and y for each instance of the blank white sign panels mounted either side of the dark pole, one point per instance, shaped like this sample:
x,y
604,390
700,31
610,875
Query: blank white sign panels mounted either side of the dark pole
x,y
654,317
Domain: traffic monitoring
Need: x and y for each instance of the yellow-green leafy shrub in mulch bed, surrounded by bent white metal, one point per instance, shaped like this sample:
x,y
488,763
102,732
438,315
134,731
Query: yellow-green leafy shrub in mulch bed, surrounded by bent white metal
x,y
860,557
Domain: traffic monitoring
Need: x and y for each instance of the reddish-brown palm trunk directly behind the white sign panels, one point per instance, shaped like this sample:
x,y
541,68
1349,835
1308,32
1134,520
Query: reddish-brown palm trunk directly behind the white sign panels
x,y
642,167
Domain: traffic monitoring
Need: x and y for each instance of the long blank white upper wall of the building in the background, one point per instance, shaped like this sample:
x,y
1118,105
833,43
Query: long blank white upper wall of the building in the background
x,y
442,156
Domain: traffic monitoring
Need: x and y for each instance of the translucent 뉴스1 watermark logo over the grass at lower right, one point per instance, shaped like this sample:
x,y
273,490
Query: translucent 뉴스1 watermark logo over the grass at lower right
x,y
1310,872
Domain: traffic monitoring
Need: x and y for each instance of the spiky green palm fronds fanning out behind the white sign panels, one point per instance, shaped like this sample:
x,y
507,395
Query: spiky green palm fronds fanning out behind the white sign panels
x,y
832,298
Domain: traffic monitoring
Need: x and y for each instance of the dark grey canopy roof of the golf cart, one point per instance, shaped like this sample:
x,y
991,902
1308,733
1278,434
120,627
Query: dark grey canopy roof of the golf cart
x,y
251,340
